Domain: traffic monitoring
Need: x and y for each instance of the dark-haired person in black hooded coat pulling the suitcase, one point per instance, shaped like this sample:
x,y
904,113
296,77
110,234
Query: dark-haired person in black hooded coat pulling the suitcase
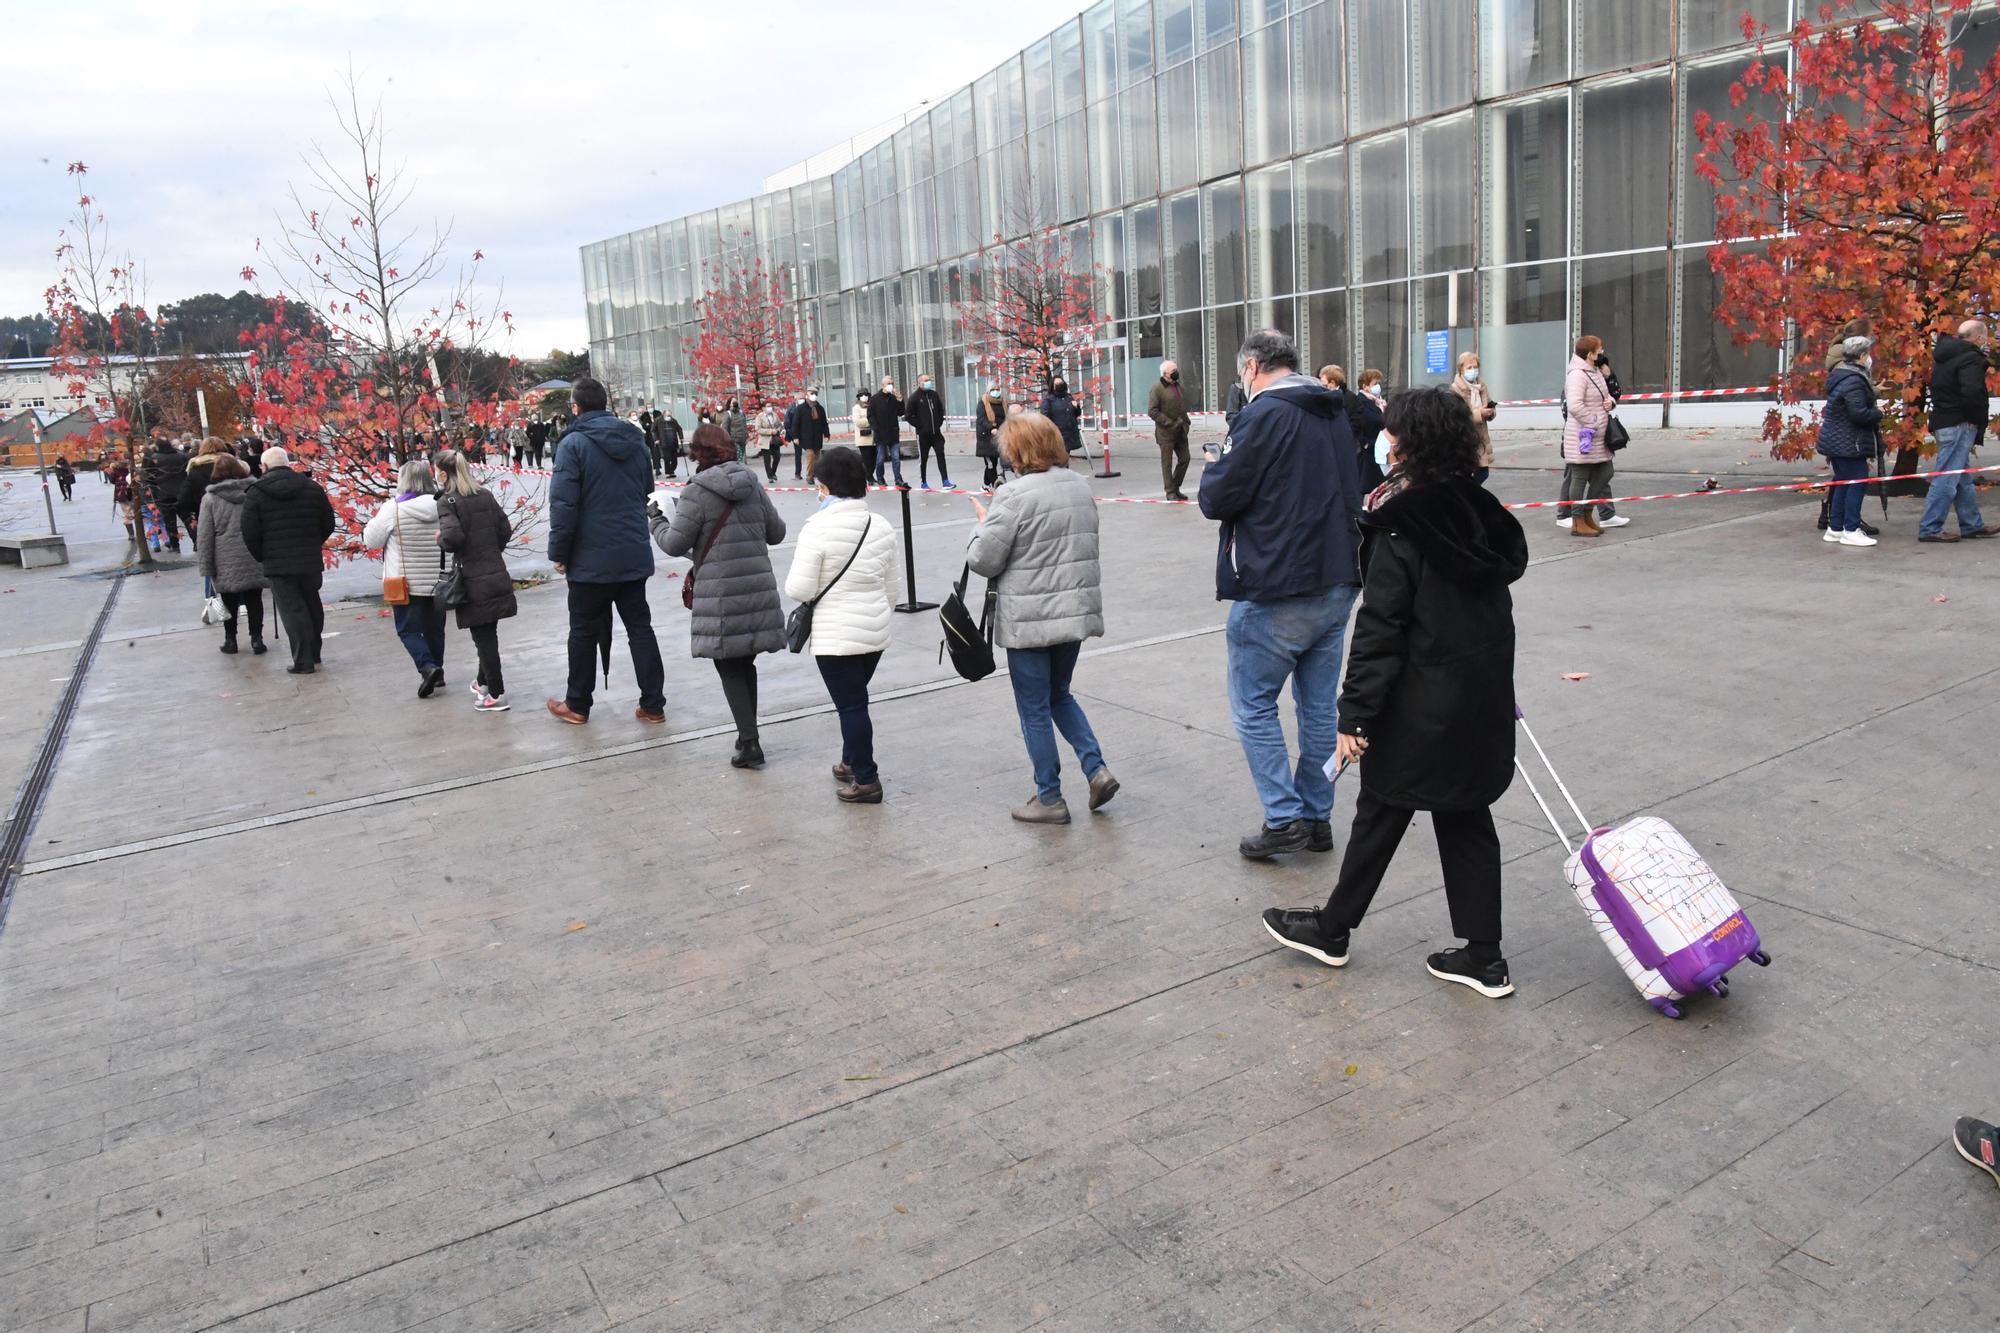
x,y
1429,698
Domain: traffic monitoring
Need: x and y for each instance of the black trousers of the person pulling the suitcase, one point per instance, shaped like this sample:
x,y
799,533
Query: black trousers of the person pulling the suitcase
x,y
1467,846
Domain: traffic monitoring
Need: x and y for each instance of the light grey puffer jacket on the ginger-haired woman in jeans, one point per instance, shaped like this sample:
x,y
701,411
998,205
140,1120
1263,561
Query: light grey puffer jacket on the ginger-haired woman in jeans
x,y
1039,543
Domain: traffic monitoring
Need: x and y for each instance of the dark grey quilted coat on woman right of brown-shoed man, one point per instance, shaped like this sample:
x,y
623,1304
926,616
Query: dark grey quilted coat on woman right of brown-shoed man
x,y
737,607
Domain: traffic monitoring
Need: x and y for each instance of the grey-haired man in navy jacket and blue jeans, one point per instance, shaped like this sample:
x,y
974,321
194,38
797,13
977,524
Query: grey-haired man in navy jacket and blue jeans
x,y
1289,499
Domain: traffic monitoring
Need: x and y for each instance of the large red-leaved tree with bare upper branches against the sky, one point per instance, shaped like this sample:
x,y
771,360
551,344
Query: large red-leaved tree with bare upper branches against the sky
x,y
393,359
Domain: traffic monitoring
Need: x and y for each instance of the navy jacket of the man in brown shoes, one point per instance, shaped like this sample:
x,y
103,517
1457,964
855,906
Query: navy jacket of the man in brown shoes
x,y
597,501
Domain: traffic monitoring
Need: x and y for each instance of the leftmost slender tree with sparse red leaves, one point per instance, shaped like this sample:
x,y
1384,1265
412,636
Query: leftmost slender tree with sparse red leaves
x,y
103,339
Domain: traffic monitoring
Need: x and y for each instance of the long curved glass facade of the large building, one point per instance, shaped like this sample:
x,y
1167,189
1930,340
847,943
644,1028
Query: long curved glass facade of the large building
x,y
1389,181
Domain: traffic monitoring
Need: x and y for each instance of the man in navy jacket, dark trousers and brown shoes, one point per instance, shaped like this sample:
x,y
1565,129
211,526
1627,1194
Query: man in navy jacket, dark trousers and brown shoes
x,y
599,541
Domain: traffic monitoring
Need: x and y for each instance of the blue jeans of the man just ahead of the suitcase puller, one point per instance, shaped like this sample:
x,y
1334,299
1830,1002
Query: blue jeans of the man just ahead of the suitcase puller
x,y
1299,639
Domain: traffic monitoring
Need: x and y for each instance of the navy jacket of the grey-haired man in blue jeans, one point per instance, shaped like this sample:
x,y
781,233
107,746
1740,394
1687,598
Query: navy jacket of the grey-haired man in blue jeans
x,y
1289,497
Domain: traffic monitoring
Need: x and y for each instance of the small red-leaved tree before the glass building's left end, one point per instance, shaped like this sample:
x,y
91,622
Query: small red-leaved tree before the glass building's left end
x,y
753,343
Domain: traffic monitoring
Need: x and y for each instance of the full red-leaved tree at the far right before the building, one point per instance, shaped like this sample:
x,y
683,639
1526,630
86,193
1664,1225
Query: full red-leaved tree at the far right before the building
x,y
1875,195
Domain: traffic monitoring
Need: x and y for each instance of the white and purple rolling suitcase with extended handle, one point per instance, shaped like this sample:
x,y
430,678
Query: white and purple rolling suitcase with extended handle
x,y
1657,904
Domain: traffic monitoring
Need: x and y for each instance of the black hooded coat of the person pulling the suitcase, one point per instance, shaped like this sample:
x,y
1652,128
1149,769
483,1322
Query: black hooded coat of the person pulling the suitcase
x,y
1431,661
